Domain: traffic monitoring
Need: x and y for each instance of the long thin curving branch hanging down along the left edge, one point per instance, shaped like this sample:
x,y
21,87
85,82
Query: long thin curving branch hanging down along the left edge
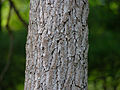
x,y
10,47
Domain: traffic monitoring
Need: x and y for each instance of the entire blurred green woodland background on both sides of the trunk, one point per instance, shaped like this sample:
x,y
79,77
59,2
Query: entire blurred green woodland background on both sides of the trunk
x,y
104,44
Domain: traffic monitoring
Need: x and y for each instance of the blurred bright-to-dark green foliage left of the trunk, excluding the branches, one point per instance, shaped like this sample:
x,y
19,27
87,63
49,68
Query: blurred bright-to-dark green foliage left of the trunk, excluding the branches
x,y
14,77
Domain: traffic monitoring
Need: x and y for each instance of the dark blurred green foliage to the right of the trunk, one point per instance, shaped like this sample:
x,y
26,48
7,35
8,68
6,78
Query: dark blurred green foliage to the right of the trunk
x,y
104,51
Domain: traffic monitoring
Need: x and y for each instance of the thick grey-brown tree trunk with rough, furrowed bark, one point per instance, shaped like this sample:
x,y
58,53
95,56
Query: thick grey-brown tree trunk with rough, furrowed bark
x,y
57,45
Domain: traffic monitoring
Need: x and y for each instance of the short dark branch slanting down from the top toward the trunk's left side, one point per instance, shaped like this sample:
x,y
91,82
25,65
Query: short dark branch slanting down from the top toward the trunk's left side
x,y
18,14
